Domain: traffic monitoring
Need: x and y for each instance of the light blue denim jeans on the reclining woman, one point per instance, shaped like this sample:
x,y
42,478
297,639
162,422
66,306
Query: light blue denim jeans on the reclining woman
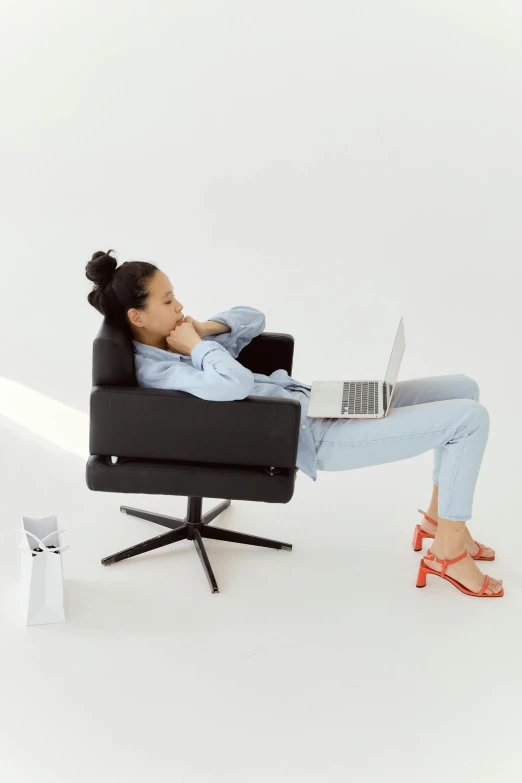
x,y
442,413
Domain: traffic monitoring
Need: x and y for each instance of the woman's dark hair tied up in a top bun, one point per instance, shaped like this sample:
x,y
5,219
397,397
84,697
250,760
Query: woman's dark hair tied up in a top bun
x,y
118,290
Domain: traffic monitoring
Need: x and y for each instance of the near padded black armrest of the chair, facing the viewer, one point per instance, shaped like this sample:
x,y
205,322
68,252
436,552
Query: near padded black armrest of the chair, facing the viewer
x,y
174,425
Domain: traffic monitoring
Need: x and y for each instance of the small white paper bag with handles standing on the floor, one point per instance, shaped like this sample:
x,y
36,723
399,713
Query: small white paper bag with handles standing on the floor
x,y
41,572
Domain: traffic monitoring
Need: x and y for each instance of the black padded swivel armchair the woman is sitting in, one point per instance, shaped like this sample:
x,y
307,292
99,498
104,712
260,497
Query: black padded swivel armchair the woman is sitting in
x,y
155,441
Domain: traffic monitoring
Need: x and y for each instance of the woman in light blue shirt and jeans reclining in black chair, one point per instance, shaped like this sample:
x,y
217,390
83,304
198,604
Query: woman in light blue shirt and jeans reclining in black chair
x,y
442,413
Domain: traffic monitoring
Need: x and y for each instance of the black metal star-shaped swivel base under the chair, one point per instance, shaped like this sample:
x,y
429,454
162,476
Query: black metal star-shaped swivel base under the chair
x,y
194,528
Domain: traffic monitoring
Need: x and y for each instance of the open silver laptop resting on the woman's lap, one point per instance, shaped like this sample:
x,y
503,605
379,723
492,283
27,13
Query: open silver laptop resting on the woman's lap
x,y
358,399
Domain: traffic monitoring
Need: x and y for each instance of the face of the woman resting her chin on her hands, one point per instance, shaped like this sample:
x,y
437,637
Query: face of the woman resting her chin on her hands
x,y
161,315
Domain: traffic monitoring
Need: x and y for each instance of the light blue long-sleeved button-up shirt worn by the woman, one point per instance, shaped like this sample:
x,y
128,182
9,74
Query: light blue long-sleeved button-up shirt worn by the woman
x,y
212,372
